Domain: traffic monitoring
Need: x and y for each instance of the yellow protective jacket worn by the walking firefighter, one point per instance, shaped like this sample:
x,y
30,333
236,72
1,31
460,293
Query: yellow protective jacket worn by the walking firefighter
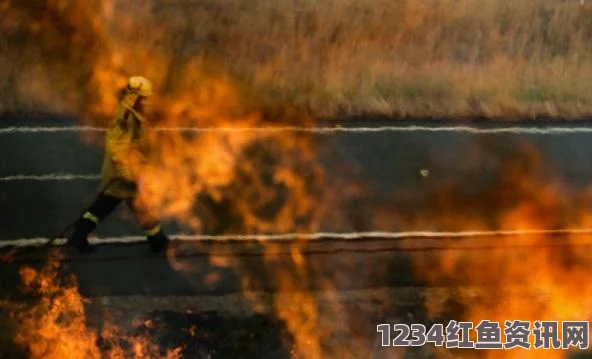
x,y
125,145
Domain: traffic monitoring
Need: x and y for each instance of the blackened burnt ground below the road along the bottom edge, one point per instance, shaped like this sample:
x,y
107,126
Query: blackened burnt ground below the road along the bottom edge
x,y
198,328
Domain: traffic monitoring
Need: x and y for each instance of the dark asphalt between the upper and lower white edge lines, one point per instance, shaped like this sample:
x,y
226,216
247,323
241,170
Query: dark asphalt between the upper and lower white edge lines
x,y
469,167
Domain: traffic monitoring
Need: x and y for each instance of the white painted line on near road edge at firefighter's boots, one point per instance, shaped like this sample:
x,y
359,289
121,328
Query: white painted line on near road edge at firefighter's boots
x,y
29,242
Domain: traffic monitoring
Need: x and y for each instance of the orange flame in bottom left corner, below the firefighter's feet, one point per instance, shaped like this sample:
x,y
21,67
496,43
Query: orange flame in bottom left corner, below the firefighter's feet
x,y
54,325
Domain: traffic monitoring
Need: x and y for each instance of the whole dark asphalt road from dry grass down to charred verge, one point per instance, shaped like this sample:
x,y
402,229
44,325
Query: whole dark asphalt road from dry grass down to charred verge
x,y
471,168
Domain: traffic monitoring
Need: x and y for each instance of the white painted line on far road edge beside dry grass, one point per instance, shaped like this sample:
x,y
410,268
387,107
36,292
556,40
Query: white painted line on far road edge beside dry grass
x,y
323,130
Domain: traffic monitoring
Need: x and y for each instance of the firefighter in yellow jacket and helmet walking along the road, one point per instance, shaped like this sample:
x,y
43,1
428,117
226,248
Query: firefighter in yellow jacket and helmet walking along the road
x,y
125,149
